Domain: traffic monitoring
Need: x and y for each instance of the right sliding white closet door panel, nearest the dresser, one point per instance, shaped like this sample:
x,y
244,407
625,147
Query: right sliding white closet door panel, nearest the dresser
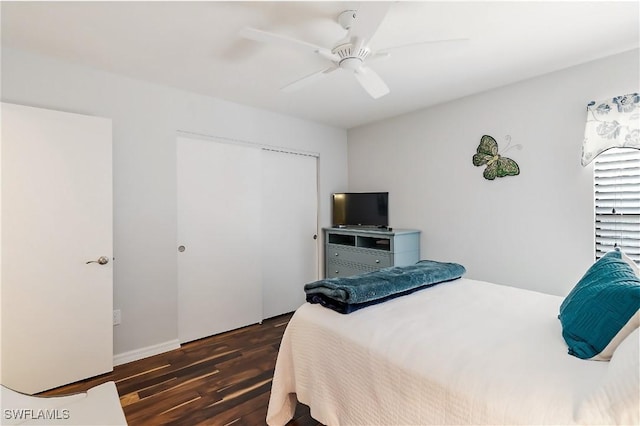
x,y
290,244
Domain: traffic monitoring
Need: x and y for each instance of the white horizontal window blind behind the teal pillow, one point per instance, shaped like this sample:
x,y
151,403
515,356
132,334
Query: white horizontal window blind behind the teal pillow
x,y
617,201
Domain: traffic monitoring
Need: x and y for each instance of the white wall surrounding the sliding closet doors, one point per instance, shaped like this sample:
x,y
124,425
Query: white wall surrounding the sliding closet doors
x,y
145,120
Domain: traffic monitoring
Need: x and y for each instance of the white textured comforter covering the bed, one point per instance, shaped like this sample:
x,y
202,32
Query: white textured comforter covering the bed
x,y
463,352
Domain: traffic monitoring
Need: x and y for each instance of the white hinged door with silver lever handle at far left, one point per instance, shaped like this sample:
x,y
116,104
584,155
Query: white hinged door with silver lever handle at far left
x,y
56,216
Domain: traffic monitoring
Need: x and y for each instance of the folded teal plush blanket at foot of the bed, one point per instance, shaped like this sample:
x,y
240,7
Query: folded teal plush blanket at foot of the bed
x,y
384,282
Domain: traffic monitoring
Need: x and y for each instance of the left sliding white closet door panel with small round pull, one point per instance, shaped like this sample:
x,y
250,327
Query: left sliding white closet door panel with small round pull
x,y
219,227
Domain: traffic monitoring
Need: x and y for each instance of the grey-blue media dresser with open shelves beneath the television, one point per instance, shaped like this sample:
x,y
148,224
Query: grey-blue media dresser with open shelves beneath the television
x,y
352,251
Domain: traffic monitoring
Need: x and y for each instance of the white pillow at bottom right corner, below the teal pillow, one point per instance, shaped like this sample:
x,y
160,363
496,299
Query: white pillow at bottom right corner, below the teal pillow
x,y
615,401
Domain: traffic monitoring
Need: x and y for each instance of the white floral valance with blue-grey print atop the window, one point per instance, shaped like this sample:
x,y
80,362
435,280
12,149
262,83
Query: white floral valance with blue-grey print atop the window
x,y
612,123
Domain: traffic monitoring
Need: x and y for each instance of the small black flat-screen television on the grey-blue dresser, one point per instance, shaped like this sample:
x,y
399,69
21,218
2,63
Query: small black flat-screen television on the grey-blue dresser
x,y
370,209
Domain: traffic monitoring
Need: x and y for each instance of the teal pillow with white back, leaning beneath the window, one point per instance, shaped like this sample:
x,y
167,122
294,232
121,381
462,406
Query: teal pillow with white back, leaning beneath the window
x,y
602,309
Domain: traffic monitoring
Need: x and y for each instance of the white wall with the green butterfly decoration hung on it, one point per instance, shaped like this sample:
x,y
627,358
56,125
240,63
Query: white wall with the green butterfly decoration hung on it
x,y
534,230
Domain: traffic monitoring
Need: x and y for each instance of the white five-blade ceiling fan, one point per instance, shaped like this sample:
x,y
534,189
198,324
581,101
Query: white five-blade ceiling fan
x,y
352,53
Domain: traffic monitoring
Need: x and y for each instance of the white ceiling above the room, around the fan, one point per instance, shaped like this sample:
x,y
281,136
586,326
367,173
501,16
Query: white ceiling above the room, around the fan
x,y
196,46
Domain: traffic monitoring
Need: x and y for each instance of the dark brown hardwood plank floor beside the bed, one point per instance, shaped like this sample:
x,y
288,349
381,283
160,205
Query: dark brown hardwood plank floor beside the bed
x,y
219,380
